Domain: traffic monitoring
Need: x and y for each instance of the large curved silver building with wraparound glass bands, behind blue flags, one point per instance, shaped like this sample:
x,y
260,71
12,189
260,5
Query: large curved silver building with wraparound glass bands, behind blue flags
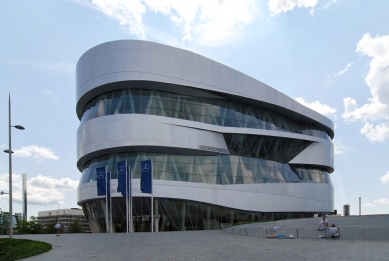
x,y
226,148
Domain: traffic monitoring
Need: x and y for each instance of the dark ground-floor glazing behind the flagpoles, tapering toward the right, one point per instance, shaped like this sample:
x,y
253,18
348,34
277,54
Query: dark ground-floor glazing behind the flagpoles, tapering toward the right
x,y
173,215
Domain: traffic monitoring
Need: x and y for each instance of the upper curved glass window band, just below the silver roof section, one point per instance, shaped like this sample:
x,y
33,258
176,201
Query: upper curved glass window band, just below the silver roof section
x,y
217,111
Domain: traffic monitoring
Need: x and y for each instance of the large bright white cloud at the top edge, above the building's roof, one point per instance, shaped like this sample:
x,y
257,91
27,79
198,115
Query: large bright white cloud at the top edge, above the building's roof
x,y
207,22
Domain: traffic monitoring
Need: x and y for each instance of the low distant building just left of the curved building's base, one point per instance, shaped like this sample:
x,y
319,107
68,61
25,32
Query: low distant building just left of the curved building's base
x,y
64,217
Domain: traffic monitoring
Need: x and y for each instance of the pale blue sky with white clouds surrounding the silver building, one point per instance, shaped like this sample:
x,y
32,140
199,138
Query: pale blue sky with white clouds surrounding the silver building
x,y
330,55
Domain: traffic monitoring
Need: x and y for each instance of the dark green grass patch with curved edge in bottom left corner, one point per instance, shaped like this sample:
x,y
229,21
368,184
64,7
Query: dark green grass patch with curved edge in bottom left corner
x,y
15,249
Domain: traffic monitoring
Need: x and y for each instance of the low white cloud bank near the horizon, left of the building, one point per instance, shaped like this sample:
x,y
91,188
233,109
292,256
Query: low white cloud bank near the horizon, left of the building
x,y
41,190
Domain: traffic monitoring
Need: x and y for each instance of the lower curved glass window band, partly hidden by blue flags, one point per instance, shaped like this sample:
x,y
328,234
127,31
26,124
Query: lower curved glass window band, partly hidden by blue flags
x,y
223,169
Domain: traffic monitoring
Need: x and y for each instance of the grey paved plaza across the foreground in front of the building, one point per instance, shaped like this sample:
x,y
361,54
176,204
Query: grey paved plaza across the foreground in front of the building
x,y
204,245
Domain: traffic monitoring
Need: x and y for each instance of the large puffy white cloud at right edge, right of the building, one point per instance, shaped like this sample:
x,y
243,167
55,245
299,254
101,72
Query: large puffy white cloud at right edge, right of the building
x,y
377,106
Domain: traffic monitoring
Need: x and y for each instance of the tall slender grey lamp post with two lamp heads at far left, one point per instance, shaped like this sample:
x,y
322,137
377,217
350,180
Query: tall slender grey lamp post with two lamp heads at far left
x,y
9,151
